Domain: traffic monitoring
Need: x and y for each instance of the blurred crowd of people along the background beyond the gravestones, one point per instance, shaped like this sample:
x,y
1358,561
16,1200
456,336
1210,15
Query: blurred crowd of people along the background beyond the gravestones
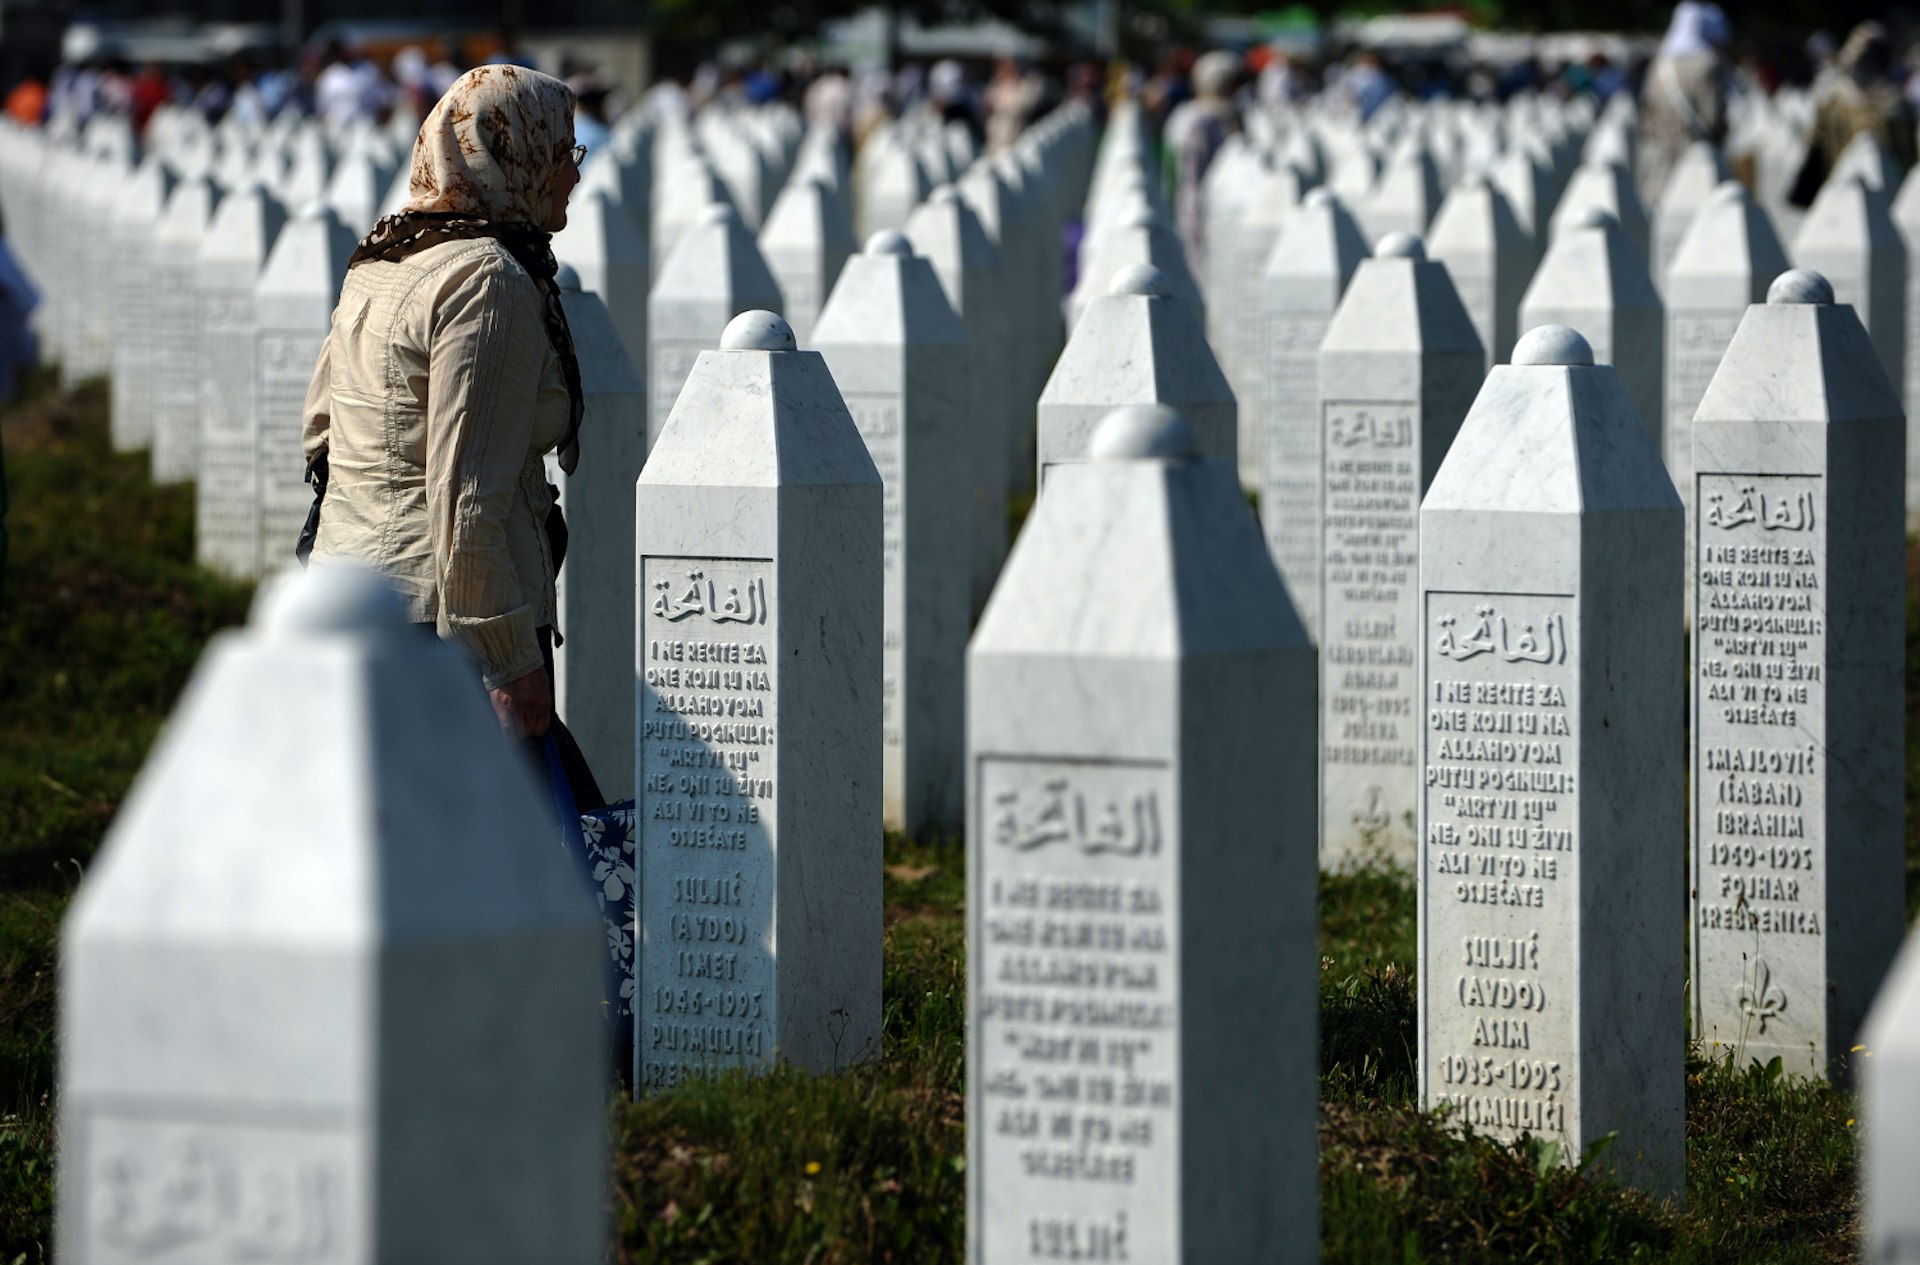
x,y
1193,99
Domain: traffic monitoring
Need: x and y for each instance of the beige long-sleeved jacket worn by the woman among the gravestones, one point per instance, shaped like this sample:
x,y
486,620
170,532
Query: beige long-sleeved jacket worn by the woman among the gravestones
x,y
437,396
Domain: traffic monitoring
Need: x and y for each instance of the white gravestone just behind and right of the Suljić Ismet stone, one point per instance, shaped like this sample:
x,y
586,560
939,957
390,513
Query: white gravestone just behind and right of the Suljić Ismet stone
x,y
900,354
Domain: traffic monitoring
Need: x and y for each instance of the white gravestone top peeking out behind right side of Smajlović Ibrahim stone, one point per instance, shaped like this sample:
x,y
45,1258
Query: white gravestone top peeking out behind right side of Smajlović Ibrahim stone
x,y
1850,239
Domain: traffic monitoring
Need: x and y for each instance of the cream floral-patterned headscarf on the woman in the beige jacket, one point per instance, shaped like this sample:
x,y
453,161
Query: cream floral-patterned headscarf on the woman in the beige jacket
x,y
492,147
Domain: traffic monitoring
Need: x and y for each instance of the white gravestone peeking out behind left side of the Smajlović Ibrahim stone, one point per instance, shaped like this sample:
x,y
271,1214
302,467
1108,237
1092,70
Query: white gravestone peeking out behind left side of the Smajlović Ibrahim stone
x,y
1719,270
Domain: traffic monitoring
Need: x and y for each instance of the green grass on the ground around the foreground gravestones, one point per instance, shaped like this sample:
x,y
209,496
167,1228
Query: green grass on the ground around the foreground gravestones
x,y
103,623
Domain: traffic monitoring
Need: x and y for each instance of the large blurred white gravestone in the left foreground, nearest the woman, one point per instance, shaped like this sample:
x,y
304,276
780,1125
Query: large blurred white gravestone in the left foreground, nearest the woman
x,y
370,1036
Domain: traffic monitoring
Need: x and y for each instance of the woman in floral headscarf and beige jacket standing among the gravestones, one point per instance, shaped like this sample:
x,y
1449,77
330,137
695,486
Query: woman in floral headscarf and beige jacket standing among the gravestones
x,y
446,379
